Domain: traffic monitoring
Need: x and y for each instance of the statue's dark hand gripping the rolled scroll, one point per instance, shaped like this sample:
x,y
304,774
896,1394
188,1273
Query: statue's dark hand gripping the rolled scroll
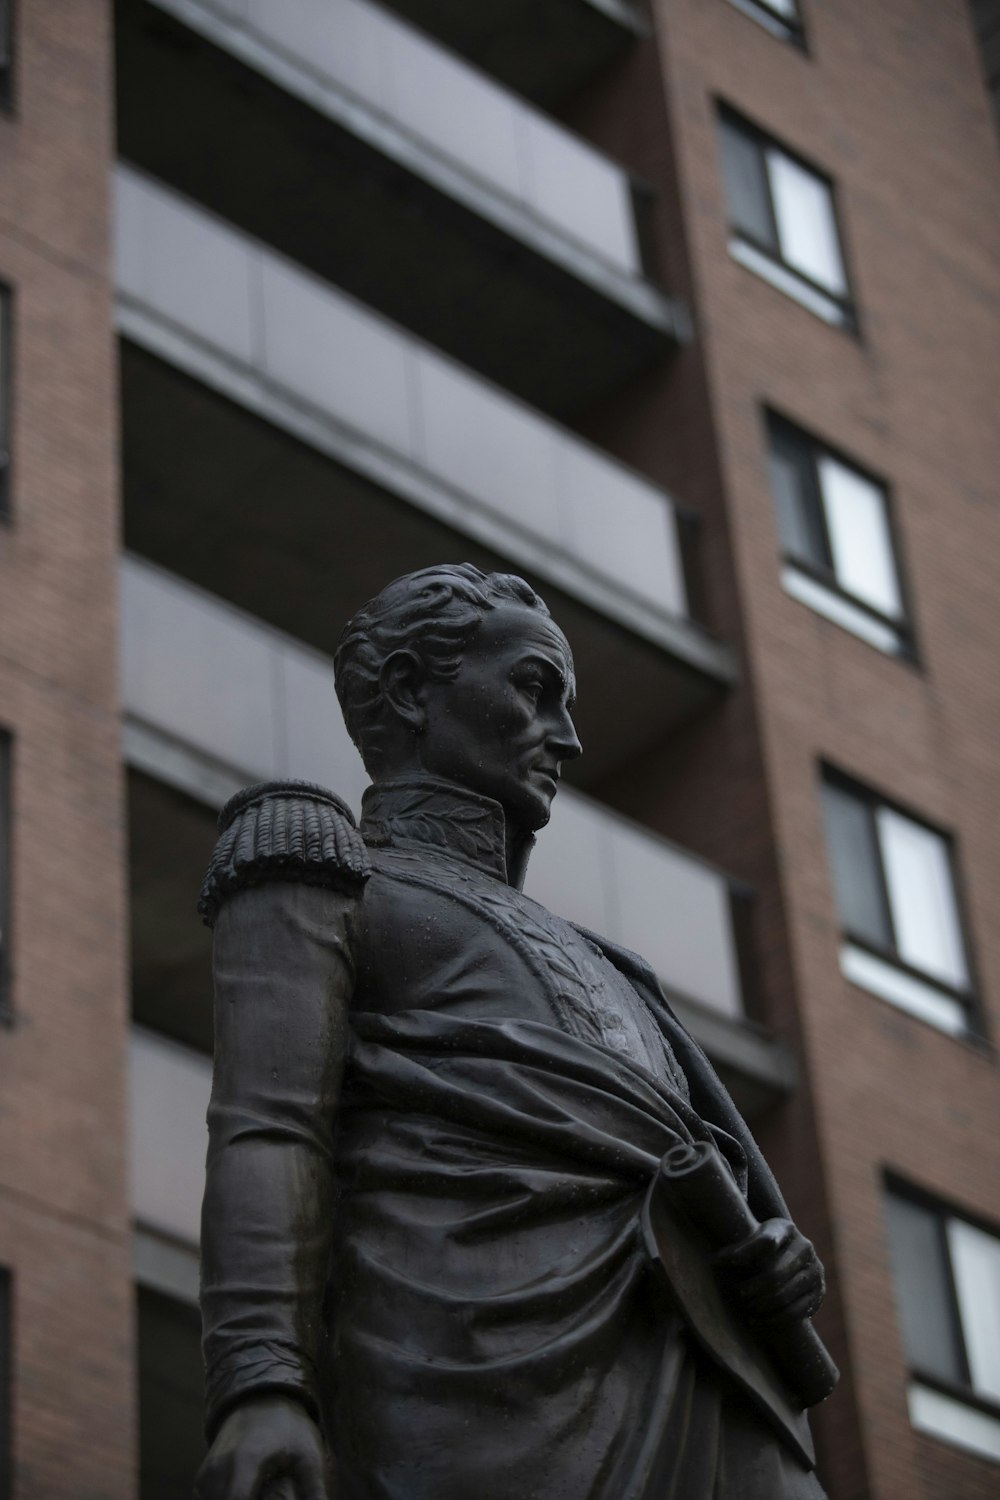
x,y
776,1274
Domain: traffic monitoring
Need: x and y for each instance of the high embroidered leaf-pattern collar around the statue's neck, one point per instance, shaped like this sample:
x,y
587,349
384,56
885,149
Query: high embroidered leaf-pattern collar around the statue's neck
x,y
430,814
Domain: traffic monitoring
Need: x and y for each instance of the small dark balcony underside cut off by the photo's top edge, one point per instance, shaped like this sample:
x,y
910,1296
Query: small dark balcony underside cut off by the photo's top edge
x,y
542,49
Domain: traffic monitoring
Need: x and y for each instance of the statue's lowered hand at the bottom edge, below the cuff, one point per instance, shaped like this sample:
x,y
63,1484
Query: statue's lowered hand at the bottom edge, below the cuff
x,y
269,1448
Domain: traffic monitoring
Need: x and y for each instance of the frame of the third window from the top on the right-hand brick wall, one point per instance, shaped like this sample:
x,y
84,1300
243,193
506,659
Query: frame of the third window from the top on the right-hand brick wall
x,y
819,583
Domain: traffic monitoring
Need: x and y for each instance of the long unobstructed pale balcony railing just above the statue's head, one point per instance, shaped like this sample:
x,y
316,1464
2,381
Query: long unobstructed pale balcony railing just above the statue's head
x,y
316,364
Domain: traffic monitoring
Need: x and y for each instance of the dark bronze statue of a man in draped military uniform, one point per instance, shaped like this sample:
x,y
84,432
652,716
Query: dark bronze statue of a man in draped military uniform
x,y
437,1115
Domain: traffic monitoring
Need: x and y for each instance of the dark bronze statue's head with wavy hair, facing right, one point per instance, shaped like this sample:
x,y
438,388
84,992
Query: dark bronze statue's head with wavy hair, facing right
x,y
463,676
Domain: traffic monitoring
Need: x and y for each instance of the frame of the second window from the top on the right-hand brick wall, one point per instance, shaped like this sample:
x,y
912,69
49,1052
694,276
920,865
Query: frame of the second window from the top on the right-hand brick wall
x,y
770,260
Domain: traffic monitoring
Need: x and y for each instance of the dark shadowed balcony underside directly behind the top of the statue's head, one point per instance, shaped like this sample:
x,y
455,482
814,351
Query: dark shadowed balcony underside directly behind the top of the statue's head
x,y
239,508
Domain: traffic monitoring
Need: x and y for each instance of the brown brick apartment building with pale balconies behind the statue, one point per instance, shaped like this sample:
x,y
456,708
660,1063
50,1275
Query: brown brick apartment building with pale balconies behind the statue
x,y
690,316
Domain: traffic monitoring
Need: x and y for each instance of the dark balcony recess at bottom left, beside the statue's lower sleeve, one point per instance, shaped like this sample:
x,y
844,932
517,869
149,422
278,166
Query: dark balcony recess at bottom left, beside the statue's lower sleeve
x,y
172,1397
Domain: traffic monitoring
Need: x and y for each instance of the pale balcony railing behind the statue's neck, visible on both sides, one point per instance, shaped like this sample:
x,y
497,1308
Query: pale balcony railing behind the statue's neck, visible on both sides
x,y
251,700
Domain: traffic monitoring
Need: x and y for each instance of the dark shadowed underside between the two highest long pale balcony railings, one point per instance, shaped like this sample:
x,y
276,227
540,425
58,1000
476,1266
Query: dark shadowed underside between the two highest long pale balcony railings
x,y
376,214
